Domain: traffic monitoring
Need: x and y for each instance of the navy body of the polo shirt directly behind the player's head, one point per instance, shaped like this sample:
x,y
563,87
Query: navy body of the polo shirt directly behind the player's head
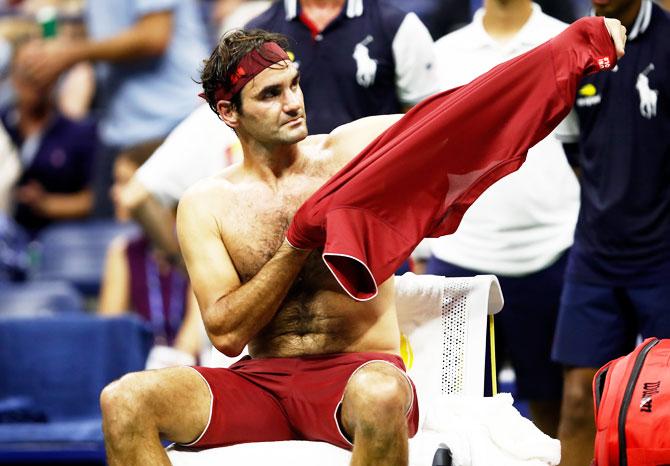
x,y
337,89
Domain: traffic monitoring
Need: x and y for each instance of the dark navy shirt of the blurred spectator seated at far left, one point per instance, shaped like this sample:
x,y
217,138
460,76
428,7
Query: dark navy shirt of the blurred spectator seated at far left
x,y
61,163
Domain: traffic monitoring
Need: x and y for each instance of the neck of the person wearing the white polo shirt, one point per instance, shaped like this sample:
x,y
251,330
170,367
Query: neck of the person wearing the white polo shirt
x,y
503,19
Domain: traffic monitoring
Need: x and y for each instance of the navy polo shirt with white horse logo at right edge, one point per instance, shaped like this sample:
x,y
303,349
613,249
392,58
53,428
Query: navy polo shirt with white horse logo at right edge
x,y
623,231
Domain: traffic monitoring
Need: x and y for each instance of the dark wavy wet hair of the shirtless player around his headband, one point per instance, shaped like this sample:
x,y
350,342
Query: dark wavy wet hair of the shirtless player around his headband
x,y
225,58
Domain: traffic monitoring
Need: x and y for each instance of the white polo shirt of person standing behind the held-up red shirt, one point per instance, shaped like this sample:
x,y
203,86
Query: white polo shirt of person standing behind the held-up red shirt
x,y
525,221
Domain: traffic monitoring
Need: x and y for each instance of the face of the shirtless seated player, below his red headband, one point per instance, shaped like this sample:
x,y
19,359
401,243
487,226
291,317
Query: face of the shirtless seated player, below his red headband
x,y
273,109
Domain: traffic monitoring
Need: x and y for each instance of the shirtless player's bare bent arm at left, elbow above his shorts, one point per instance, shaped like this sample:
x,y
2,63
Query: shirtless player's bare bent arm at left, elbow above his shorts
x,y
233,312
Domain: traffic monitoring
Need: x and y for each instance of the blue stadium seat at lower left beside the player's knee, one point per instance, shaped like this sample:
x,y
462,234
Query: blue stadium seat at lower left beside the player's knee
x,y
52,370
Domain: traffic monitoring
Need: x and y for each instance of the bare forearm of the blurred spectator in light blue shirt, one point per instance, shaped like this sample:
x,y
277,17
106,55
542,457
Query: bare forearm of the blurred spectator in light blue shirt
x,y
149,37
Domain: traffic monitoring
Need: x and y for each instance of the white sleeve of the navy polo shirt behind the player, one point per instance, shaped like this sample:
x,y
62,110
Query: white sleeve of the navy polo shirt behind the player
x,y
415,62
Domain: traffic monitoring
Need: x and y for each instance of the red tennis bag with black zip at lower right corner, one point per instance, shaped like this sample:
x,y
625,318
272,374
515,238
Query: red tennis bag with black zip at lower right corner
x,y
632,407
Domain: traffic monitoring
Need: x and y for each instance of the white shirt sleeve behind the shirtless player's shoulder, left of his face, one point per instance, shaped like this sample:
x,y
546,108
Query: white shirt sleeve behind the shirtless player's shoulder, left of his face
x,y
200,146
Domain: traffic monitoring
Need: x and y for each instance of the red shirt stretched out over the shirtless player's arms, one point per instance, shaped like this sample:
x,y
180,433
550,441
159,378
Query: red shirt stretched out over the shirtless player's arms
x,y
419,177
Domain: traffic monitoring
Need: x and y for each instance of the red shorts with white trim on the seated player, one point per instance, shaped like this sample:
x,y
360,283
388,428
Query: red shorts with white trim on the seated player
x,y
261,400
